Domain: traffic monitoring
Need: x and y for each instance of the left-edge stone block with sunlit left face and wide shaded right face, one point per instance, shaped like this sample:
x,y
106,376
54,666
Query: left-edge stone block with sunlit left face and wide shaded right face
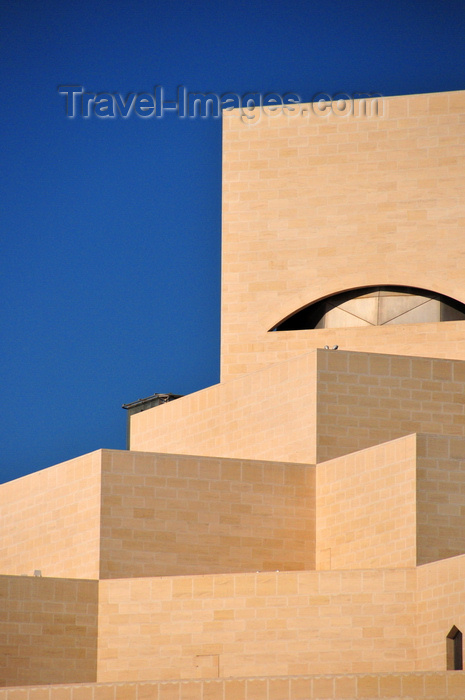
x,y
114,514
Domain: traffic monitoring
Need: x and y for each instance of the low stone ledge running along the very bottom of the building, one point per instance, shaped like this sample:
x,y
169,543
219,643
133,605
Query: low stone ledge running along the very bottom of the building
x,y
445,685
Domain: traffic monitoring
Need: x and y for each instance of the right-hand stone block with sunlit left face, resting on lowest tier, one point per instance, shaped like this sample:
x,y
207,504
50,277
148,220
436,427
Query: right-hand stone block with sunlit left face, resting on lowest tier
x,y
397,504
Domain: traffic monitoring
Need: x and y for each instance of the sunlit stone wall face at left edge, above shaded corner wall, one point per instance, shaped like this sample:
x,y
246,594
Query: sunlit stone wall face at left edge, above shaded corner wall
x,y
50,521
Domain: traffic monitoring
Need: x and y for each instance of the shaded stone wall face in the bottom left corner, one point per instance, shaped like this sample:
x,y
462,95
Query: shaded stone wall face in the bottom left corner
x,y
48,630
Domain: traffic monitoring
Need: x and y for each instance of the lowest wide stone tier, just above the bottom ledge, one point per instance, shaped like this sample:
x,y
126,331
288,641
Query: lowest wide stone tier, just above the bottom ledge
x,y
229,625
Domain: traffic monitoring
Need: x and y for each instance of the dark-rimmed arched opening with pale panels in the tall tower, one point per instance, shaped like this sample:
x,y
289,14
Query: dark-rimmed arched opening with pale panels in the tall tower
x,y
375,306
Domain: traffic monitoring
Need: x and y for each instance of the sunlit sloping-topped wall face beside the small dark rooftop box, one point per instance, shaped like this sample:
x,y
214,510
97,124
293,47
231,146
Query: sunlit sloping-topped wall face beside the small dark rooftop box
x,y
266,415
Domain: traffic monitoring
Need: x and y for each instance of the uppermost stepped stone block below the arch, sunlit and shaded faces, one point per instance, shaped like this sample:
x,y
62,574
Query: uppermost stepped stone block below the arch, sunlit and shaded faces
x,y
311,408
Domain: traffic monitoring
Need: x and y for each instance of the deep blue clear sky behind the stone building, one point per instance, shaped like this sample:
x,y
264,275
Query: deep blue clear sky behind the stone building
x,y
110,243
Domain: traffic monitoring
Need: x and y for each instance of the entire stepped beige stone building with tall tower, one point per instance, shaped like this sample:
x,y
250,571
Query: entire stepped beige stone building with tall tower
x,y
297,531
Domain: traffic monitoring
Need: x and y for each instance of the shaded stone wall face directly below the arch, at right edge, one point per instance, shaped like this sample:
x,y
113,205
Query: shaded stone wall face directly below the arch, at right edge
x,y
365,399
